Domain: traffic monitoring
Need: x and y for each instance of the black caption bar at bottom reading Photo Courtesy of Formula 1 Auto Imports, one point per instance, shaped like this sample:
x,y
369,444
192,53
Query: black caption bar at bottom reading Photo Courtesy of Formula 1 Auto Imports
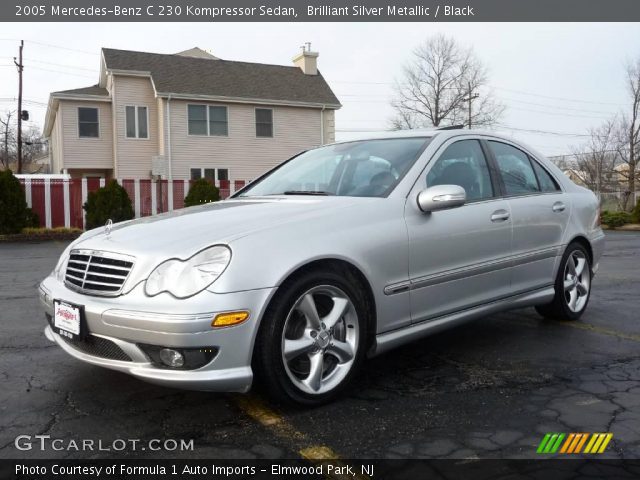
x,y
114,469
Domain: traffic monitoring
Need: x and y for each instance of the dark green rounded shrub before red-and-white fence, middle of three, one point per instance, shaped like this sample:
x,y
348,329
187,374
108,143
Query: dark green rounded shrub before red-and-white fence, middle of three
x,y
108,202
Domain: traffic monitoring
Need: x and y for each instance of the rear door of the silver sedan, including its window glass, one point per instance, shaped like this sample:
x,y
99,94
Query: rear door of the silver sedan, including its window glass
x,y
539,212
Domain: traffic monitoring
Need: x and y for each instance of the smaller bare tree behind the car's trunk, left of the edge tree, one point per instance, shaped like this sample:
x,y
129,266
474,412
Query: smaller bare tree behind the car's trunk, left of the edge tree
x,y
596,160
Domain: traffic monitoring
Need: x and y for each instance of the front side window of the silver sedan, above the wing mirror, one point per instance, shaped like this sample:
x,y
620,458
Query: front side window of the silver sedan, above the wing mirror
x,y
463,163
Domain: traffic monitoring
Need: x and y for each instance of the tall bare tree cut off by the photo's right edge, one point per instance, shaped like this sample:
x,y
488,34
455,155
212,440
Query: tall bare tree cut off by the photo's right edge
x,y
629,133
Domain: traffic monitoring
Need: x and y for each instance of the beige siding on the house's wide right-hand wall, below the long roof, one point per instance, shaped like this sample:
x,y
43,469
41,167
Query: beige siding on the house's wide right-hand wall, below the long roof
x,y
245,156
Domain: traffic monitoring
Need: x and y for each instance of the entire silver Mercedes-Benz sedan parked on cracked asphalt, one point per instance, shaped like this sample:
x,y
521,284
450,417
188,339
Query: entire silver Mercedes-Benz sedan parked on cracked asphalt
x,y
339,253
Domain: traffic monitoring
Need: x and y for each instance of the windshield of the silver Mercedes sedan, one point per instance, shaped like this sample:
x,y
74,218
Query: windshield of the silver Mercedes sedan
x,y
370,168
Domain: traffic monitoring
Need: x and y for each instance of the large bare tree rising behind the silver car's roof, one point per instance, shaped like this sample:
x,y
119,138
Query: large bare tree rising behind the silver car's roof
x,y
438,85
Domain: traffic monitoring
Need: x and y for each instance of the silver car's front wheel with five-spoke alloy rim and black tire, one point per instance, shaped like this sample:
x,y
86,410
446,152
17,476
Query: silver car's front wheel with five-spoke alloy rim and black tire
x,y
308,358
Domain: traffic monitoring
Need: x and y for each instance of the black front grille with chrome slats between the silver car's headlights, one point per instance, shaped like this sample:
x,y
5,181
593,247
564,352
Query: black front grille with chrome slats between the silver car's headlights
x,y
97,273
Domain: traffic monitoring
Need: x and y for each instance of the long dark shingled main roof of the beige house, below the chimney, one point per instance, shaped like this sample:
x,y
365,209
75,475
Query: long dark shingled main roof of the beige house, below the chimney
x,y
187,75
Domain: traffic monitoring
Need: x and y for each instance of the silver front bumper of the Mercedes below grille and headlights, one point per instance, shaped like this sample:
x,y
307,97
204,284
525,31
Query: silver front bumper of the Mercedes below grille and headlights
x,y
122,324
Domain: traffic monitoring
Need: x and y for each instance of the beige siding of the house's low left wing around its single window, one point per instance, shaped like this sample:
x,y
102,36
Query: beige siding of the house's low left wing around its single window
x,y
77,152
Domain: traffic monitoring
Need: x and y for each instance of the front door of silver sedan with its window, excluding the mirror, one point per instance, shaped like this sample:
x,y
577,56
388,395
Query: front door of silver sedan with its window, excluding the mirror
x,y
459,258
